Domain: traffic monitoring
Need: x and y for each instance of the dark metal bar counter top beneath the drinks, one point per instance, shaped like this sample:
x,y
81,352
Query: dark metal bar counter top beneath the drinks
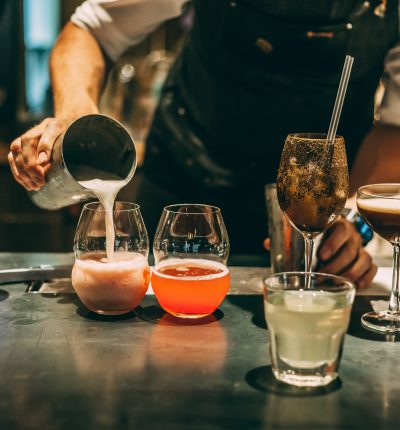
x,y
65,368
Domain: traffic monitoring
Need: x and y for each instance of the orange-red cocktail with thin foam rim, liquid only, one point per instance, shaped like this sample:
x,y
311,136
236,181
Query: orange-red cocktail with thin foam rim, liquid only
x,y
190,288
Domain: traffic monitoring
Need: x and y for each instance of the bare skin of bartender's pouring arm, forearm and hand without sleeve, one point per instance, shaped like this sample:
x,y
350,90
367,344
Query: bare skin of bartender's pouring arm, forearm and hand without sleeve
x,y
77,69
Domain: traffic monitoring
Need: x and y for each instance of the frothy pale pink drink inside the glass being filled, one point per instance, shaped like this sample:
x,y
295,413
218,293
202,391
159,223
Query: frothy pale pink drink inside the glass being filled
x,y
111,287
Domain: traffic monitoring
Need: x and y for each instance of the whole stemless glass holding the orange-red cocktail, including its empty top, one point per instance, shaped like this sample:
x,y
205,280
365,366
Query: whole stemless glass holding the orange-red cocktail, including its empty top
x,y
190,278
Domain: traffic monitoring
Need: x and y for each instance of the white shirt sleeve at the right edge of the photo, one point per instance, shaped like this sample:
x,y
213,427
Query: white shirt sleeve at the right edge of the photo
x,y
389,110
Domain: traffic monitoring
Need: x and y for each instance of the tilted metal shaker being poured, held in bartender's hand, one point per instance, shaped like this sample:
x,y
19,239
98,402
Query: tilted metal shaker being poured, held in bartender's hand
x,y
93,147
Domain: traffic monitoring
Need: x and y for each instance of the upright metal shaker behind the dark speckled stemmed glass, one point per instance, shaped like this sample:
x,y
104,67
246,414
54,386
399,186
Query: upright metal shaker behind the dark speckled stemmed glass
x,y
286,243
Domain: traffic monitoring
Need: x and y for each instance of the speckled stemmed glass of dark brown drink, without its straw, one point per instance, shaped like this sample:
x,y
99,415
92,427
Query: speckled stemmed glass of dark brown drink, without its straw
x,y
312,184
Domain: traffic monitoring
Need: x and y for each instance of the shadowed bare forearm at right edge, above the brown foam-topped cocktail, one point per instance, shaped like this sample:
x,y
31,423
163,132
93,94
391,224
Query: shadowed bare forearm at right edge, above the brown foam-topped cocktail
x,y
378,158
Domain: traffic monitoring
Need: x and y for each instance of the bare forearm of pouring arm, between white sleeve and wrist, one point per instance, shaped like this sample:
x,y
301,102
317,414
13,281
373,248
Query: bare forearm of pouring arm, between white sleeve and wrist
x,y
77,68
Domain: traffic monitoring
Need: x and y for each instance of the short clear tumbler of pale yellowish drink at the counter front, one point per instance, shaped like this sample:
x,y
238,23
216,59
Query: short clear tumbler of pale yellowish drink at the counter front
x,y
307,328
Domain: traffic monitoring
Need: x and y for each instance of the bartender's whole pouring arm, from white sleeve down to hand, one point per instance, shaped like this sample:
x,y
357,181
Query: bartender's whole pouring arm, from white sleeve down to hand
x,y
77,67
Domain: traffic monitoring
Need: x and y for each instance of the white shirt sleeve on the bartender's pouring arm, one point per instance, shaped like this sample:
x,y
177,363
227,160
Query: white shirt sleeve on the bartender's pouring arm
x,y
119,24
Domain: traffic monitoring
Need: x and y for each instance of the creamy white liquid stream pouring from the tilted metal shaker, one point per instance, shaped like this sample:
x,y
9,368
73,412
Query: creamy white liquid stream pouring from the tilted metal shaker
x,y
106,191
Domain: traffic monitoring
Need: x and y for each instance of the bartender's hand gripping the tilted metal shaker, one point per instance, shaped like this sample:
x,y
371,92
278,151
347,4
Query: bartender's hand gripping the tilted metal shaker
x,y
29,155
